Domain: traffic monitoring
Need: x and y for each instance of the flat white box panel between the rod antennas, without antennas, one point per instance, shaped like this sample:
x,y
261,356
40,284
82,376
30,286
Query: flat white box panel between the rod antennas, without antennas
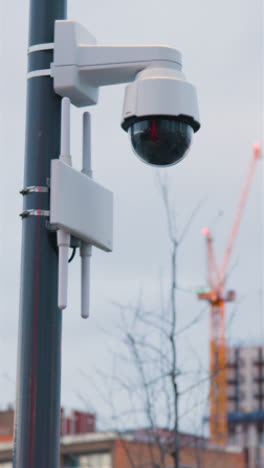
x,y
81,206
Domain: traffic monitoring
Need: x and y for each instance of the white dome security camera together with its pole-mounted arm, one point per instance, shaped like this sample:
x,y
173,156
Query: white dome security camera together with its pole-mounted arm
x,y
160,110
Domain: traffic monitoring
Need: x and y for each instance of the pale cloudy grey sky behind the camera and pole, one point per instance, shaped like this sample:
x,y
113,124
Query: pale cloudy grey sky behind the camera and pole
x,y
221,43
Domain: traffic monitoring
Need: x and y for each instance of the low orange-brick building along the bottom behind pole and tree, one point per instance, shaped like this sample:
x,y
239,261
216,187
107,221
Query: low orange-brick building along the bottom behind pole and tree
x,y
107,450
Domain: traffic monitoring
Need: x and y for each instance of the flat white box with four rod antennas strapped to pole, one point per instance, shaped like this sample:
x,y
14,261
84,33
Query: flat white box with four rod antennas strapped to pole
x,y
80,209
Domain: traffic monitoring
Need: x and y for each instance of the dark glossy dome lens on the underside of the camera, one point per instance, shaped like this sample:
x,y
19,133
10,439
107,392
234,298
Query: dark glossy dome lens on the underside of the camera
x,y
160,141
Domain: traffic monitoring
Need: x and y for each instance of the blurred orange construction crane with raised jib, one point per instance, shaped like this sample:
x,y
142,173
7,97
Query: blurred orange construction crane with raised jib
x,y
217,296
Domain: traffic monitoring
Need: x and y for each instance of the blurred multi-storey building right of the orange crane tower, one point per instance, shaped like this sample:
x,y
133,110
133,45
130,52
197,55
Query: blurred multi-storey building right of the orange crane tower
x,y
245,393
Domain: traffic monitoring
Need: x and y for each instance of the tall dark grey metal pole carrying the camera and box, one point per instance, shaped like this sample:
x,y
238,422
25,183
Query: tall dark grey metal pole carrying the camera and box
x,y
37,421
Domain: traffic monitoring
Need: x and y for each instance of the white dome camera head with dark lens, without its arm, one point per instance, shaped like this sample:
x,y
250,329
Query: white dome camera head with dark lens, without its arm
x,y
160,114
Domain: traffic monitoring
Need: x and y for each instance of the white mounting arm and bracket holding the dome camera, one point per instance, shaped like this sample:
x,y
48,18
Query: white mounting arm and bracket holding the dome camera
x,y
80,66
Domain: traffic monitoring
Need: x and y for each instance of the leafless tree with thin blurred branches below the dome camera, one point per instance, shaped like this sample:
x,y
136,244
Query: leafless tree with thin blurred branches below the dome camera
x,y
147,382
